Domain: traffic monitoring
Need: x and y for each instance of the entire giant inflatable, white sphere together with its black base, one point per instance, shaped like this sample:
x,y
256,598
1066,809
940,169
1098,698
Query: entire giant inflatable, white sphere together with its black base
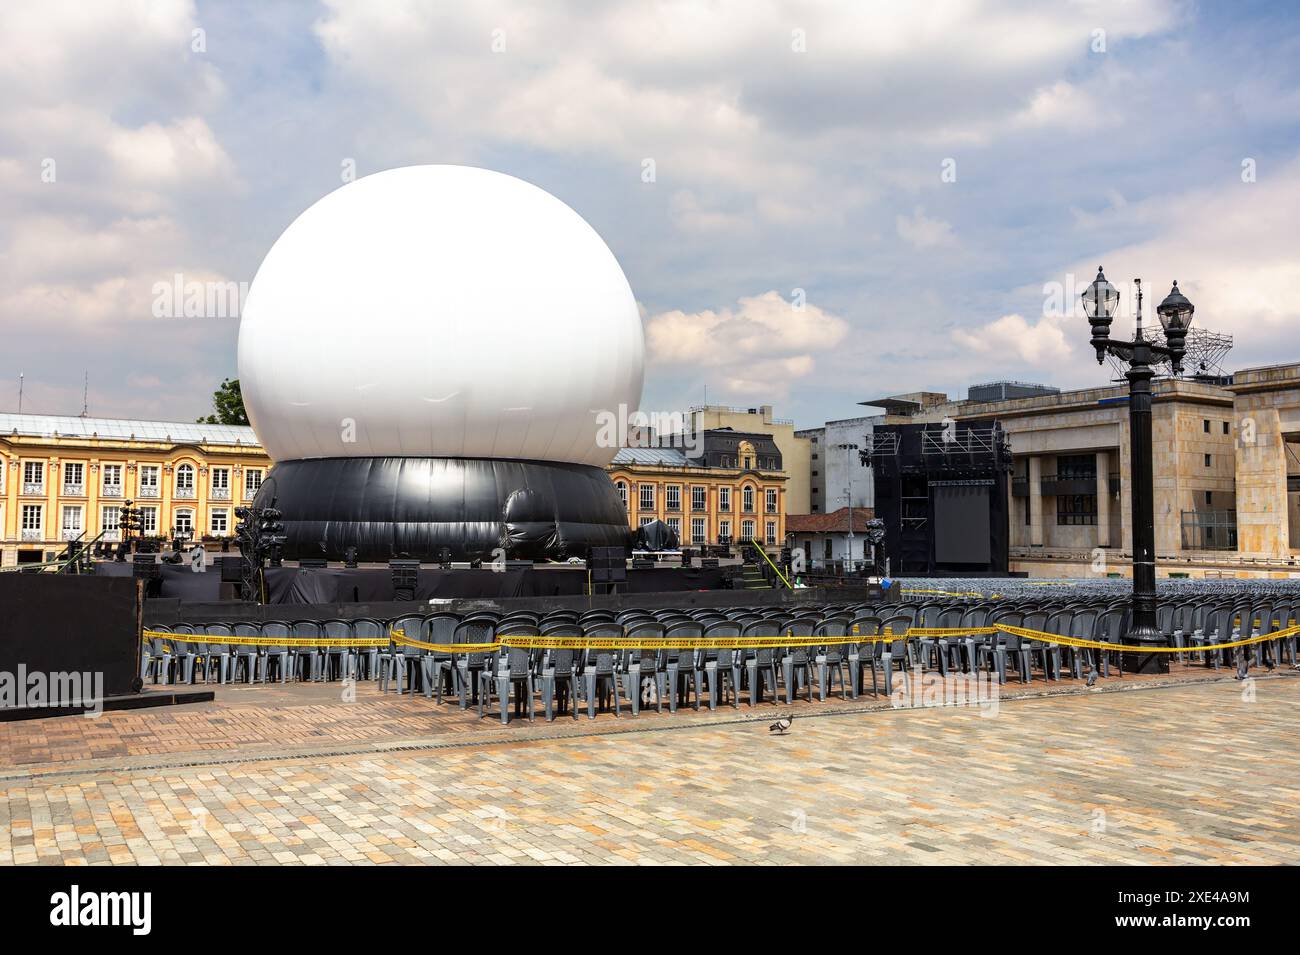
x,y
431,355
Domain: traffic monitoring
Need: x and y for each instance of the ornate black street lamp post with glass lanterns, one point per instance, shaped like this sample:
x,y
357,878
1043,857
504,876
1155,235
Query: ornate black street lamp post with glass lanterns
x,y
1176,315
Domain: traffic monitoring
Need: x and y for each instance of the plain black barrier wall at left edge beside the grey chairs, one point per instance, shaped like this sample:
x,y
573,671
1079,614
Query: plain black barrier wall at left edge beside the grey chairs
x,y
54,624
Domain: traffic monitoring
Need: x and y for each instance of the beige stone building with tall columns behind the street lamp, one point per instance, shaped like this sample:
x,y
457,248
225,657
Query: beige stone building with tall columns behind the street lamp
x,y
1227,474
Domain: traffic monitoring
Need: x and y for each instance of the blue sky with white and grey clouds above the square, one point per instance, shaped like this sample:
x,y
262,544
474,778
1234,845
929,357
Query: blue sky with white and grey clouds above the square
x,y
850,199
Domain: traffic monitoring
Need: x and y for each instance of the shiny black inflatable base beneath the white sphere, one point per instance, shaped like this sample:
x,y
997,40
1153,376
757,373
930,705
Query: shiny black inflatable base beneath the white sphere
x,y
414,507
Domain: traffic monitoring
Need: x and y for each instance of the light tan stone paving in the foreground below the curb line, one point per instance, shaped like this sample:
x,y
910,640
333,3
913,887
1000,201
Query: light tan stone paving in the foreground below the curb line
x,y
1184,774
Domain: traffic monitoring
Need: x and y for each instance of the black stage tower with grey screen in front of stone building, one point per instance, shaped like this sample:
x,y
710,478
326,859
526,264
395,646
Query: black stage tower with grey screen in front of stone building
x,y
942,494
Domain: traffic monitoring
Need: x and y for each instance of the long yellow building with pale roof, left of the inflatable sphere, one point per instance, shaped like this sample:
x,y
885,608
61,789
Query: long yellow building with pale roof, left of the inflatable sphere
x,y
68,477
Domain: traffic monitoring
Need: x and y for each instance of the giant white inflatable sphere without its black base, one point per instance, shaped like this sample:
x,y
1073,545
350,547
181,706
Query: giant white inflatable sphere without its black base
x,y
443,312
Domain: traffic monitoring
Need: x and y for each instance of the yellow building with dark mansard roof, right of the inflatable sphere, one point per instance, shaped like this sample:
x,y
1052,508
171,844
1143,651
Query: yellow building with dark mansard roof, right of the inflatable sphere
x,y
734,488
